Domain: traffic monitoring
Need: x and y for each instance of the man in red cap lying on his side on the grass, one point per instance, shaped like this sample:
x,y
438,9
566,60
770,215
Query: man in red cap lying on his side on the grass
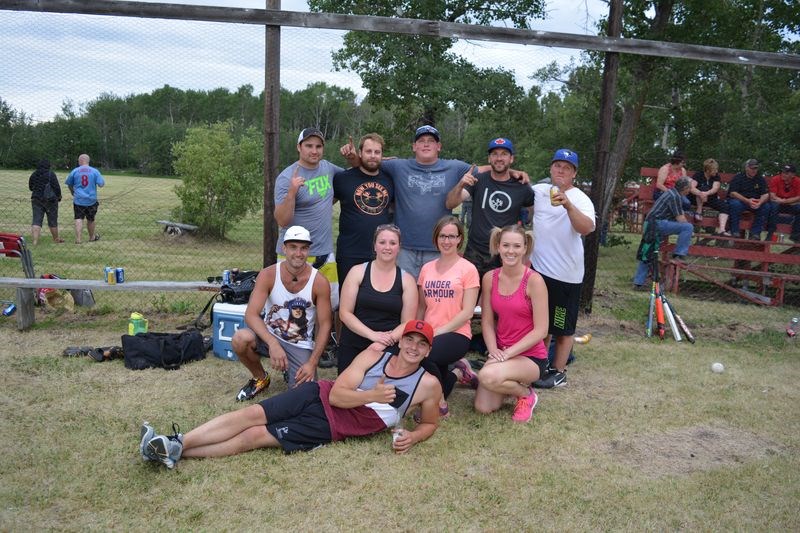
x,y
373,392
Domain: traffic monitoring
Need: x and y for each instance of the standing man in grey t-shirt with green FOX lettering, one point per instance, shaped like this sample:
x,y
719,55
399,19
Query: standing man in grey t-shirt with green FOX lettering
x,y
304,197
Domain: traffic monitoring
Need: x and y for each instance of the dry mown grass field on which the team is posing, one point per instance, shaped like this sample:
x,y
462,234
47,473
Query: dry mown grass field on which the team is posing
x,y
644,437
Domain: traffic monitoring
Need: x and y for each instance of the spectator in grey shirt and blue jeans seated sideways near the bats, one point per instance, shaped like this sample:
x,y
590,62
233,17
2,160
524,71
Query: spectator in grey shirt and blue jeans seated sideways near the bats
x,y
667,215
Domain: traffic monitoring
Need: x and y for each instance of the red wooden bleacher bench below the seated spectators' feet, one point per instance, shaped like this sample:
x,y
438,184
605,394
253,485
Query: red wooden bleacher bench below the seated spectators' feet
x,y
740,259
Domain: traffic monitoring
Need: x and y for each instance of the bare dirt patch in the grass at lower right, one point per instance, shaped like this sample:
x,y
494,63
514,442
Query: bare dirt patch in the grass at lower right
x,y
686,450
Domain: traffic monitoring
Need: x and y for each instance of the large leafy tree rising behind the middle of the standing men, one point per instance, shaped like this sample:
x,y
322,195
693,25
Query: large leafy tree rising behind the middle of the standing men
x,y
415,76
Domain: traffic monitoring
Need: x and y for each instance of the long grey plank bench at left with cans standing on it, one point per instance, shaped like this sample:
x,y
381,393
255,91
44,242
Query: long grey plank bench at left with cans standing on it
x,y
26,293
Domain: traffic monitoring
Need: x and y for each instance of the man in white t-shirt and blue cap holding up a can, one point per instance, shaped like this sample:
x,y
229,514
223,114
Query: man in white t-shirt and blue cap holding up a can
x,y
560,219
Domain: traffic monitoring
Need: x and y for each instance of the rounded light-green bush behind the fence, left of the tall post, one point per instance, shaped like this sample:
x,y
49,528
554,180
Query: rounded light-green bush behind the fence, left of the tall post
x,y
222,176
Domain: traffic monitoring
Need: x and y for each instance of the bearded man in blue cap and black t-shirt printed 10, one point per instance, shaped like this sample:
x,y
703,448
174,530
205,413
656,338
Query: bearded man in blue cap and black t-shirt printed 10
x,y
497,201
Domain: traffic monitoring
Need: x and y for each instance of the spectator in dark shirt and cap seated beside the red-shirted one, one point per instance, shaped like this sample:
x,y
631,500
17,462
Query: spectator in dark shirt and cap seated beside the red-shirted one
x,y
748,192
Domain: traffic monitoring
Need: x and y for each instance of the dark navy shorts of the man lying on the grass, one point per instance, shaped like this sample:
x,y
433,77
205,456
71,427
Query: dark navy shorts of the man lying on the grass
x,y
296,418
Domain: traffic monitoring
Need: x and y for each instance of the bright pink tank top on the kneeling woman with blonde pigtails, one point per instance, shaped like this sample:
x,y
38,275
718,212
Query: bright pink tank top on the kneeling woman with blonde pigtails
x,y
514,316
